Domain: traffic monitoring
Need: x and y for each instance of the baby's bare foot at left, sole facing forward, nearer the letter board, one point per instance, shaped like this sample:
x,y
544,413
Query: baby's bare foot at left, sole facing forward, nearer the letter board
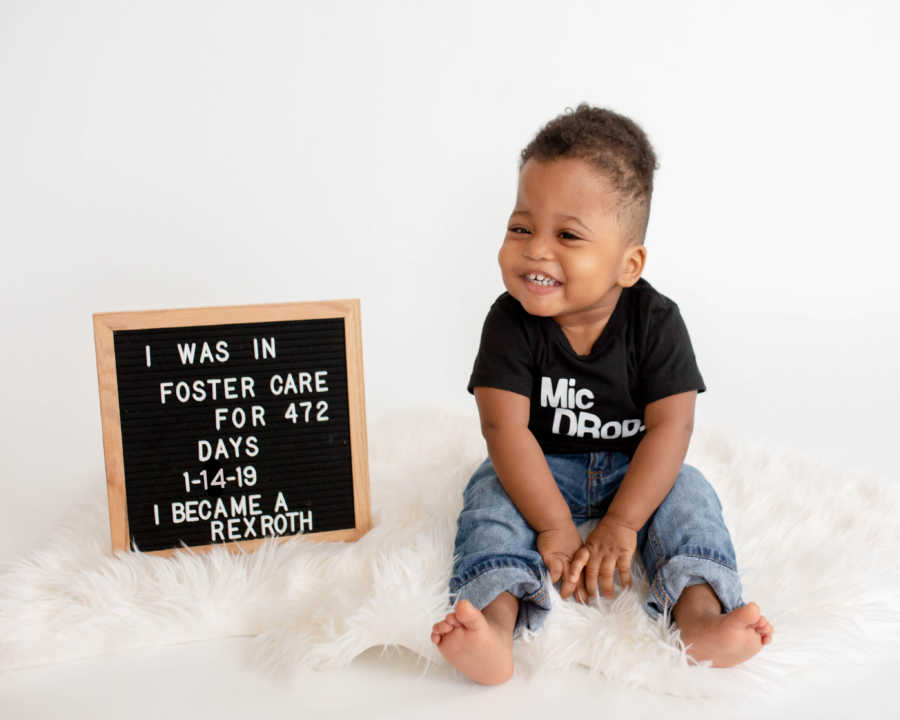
x,y
474,646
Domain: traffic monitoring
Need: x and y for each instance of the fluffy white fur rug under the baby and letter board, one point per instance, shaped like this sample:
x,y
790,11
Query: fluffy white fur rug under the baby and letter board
x,y
816,549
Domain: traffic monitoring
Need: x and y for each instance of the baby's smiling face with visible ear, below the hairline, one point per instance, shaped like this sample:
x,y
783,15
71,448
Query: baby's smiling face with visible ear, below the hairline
x,y
565,255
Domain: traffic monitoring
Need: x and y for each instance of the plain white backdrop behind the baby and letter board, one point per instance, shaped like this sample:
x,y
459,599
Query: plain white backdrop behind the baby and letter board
x,y
170,154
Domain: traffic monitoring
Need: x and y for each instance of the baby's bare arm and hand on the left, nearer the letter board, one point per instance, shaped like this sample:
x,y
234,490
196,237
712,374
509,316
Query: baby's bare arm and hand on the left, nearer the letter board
x,y
525,476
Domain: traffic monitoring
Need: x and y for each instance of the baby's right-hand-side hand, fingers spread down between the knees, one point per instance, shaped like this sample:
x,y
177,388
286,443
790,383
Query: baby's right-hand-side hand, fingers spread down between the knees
x,y
610,546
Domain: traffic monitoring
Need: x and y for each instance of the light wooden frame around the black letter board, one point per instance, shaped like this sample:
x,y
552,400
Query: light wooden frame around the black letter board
x,y
105,324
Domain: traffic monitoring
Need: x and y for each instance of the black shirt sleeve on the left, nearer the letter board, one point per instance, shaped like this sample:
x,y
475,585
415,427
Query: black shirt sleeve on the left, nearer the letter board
x,y
504,358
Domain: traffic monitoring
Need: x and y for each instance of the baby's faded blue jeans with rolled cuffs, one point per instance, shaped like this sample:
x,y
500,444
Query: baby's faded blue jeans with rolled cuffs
x,y
685,541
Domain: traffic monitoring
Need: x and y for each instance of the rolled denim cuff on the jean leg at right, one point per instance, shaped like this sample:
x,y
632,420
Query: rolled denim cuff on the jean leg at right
x,y
681,572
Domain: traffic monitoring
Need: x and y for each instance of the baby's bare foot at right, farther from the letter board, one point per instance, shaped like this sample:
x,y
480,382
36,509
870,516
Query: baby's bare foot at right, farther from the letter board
x,y
727,640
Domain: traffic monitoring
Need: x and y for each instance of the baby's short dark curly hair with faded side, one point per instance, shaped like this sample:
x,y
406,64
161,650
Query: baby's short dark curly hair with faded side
x,y
615,145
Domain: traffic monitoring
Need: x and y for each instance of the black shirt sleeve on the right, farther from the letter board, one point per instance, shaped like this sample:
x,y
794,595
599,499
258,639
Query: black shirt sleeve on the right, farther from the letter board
x,y
668,366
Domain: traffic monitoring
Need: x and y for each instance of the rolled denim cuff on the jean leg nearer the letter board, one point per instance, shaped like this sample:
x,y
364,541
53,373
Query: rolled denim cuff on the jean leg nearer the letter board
x,y
486,580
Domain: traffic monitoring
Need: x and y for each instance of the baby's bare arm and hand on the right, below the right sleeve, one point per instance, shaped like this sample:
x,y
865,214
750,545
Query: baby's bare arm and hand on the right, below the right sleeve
x,y
649,478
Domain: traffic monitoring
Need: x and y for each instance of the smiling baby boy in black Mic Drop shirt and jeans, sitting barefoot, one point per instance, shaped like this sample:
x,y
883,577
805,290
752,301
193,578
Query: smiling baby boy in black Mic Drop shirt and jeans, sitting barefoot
x,y
585,382
